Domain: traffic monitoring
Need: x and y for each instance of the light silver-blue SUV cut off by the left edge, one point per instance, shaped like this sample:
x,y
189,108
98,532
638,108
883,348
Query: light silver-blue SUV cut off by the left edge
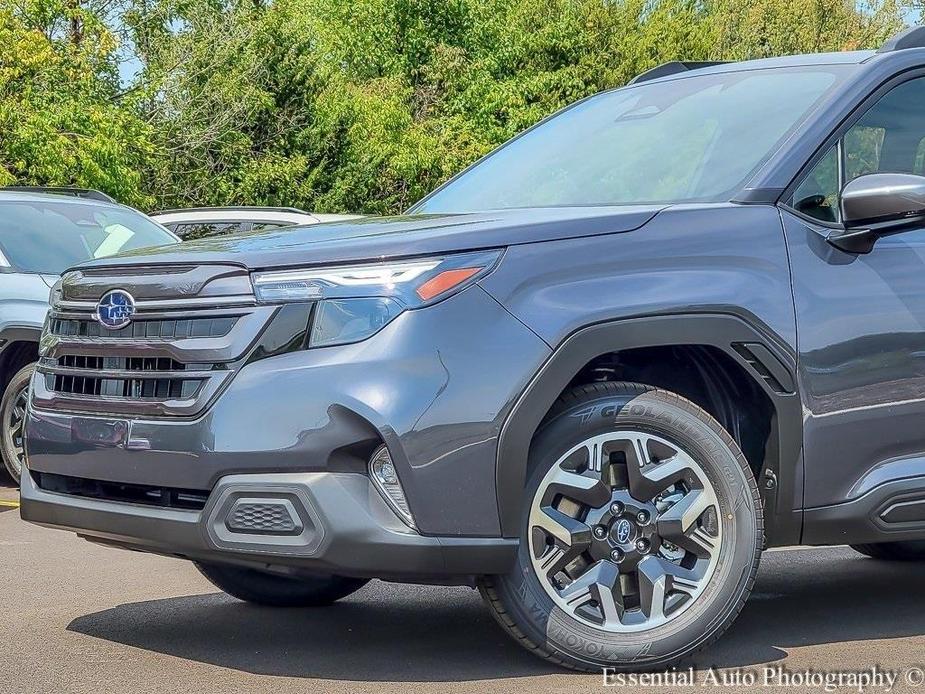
x,y
43,231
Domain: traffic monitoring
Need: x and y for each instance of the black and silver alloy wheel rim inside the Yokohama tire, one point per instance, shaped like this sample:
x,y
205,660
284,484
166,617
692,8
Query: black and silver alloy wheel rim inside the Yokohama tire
x,y
624,531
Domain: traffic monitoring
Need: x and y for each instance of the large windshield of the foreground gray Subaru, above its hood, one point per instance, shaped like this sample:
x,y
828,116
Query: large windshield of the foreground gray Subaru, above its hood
x,y
693,139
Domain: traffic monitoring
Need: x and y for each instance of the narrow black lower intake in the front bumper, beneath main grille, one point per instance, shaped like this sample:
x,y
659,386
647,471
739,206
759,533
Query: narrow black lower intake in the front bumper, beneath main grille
x,y
169,497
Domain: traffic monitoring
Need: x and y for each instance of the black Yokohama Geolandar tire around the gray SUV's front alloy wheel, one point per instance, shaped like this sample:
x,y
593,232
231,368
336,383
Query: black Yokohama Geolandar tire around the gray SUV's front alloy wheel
x,y
524,609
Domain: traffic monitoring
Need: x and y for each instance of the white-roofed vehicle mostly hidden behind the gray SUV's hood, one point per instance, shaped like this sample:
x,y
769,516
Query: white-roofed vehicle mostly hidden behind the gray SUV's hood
x,y
202,222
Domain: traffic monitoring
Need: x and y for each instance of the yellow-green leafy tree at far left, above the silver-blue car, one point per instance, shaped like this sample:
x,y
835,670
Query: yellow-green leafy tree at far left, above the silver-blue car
x,y
60,120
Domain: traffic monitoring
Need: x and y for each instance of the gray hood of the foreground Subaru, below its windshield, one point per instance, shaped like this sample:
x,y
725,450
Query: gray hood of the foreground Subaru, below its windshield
x,y
372,238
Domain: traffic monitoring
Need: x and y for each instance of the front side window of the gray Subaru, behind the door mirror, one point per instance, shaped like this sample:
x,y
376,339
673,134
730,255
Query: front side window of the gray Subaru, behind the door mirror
x,y
888,138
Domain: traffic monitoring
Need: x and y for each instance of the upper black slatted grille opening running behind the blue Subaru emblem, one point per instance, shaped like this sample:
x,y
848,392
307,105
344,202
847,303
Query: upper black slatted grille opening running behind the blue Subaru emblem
x,y
148,329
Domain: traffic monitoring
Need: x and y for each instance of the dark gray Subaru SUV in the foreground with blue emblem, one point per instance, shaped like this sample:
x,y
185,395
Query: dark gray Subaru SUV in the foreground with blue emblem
x,y
594,375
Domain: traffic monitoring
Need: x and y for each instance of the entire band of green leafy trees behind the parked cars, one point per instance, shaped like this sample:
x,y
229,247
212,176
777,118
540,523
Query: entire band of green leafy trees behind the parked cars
x,y
343,105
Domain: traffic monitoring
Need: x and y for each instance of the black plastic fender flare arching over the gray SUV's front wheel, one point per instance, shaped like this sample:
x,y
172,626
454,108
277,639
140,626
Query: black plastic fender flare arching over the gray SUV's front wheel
x,y
782,488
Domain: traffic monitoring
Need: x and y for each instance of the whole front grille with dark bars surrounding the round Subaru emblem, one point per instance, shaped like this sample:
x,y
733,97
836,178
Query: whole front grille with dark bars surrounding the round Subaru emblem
x,y
193,328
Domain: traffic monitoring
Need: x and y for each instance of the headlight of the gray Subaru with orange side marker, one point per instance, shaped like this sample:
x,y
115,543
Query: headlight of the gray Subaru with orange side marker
x,y
356,301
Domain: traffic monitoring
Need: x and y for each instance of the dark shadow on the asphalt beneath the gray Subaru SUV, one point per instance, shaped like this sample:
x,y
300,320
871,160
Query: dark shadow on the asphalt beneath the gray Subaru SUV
x,y
800,600
